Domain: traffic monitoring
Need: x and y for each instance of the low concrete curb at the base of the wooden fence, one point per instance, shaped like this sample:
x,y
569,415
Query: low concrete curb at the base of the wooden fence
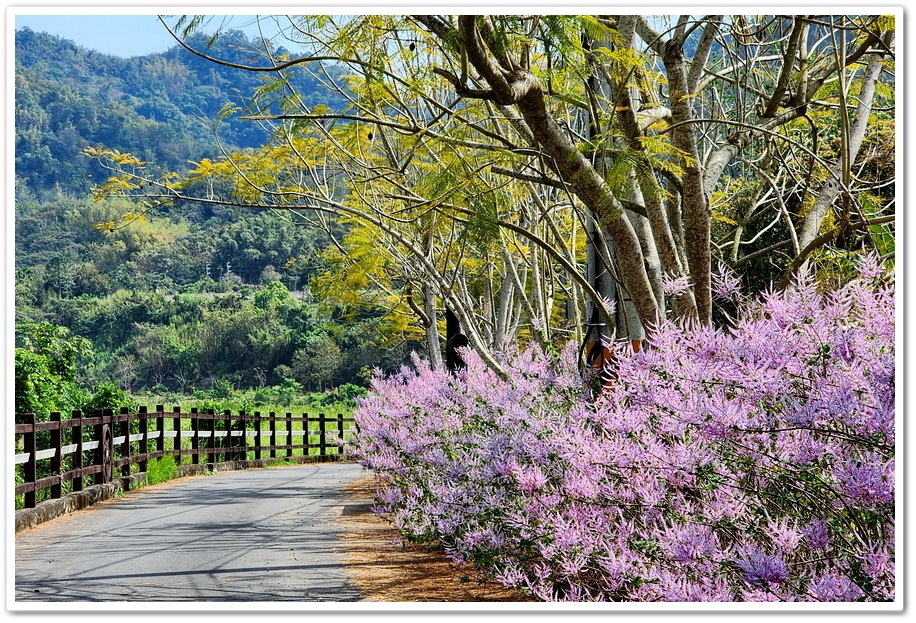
x,y
78,500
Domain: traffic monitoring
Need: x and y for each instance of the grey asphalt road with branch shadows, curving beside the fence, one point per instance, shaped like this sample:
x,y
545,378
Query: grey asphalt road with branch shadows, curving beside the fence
x,y
252,535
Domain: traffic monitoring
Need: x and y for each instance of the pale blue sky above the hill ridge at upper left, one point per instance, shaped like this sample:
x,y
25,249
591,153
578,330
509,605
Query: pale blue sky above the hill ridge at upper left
x,y
122,35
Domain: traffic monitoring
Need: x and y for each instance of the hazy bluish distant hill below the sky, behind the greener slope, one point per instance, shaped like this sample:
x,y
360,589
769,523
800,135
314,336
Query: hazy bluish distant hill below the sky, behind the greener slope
x,y
160,107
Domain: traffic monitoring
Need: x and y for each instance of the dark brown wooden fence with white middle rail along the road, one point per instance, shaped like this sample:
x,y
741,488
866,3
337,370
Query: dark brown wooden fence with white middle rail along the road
x,y
104,444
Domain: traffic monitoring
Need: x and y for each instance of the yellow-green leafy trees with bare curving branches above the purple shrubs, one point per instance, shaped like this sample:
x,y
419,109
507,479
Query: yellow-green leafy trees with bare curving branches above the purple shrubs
x,y
568,176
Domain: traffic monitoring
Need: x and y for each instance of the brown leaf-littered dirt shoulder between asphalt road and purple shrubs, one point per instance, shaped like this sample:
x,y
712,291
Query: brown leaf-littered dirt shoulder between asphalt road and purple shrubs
x,y
387,570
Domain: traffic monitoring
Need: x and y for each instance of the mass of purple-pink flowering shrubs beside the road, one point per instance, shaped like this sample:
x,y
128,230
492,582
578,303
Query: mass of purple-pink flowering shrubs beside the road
x,y
749,464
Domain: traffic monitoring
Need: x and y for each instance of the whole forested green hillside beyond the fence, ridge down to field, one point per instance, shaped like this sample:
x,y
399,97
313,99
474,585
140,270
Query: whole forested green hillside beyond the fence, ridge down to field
x,y
181,297
